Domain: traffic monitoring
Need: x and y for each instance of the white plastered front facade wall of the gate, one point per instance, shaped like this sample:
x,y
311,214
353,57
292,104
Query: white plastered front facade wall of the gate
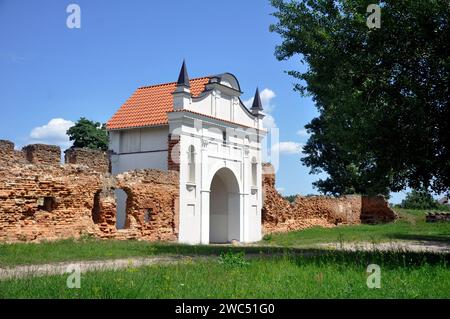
x,y
211,155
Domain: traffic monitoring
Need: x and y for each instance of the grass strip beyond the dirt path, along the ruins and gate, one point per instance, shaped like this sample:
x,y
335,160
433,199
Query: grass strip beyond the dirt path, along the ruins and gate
x,y
410,226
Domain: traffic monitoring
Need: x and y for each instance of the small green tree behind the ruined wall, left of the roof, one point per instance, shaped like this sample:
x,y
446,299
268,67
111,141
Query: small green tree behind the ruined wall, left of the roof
x,y
86,133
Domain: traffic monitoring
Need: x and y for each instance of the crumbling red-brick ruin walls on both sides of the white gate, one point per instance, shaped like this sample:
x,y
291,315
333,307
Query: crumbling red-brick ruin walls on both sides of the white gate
x,y
42,199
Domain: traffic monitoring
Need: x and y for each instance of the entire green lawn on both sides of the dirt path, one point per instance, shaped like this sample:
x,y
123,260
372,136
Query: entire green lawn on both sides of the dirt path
x,y
281,266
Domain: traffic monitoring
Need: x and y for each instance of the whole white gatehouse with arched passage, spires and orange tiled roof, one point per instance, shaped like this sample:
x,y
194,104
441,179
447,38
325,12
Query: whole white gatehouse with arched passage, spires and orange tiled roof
x,y
201,128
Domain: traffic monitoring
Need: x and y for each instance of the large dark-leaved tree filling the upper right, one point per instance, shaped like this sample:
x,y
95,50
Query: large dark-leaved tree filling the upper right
x,y
382,94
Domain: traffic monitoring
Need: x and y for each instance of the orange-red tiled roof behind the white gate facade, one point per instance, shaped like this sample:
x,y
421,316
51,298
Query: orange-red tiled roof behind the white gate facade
x,y
149,105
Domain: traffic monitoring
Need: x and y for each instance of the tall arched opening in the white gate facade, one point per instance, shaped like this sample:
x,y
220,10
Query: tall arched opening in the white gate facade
x,y
224,208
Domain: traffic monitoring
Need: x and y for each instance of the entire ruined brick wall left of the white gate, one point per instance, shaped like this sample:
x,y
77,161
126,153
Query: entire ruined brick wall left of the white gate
x,y
41,199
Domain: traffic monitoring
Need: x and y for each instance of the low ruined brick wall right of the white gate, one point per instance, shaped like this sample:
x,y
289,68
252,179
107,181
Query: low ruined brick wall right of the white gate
x,y
279,215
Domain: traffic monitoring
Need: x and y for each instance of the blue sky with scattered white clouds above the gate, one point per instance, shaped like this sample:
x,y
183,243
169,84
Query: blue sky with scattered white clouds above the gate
x,y
48,71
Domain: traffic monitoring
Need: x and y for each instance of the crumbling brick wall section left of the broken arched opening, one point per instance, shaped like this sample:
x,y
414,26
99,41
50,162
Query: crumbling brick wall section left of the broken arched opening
x,y
45,202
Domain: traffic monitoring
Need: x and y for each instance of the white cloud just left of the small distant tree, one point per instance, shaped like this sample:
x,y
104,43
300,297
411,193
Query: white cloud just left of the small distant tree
x,y
54,132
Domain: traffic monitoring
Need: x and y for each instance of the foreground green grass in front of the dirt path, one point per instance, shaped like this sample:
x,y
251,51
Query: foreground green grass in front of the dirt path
x,y
333,275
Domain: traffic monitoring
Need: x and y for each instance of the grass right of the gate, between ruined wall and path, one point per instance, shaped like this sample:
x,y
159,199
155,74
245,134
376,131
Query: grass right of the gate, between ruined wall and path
x,y
410,226
